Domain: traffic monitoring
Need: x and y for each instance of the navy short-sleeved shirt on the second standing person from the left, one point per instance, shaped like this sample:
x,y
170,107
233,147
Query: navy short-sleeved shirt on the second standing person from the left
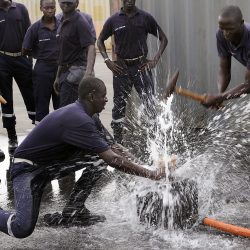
x,y
42,41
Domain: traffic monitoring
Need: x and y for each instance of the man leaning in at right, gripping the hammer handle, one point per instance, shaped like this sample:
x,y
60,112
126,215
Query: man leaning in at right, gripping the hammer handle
x,y
233,40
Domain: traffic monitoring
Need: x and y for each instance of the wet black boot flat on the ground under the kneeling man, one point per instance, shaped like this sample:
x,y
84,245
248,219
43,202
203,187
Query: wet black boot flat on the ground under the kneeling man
x,y
84,218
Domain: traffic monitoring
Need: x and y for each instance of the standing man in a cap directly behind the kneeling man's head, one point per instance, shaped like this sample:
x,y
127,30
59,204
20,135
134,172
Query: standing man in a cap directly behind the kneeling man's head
x,y
76,52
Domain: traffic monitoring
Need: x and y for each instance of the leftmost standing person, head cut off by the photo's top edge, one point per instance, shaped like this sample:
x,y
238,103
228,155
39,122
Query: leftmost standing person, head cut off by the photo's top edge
x,y
14,22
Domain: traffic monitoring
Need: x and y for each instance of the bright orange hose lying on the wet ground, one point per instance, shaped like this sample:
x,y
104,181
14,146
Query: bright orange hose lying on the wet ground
x,y
241,231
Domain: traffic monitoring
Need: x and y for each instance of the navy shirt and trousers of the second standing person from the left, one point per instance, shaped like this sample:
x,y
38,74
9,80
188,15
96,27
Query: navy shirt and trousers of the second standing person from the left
x,y
42,42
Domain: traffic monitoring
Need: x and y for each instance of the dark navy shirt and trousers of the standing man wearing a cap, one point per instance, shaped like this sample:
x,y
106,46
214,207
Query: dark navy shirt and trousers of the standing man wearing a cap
x,y
74,38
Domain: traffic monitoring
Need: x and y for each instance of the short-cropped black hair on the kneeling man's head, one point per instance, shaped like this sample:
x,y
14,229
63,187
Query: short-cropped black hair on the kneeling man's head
x,y
90,85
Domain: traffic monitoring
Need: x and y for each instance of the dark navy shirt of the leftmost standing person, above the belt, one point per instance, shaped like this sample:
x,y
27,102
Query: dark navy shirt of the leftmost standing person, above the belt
x,y
13,25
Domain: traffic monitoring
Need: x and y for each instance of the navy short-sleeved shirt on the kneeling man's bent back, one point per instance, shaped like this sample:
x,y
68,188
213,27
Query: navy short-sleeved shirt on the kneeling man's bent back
x,y
61,134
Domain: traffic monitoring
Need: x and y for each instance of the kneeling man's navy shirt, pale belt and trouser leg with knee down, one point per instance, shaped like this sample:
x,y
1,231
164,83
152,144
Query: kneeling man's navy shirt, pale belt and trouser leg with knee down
x,y
45,155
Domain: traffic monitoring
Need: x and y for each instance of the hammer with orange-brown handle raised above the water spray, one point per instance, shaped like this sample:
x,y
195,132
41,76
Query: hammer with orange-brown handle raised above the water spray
x,y
171,87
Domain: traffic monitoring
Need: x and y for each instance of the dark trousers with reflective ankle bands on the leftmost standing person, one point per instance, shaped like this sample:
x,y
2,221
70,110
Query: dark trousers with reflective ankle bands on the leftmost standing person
x,y
19,68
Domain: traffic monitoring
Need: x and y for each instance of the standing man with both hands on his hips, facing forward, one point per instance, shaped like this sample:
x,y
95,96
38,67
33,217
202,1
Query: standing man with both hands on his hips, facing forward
x,y
130,27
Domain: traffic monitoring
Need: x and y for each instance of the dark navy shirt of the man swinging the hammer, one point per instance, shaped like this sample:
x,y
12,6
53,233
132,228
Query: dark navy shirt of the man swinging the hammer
x,y
241,52
